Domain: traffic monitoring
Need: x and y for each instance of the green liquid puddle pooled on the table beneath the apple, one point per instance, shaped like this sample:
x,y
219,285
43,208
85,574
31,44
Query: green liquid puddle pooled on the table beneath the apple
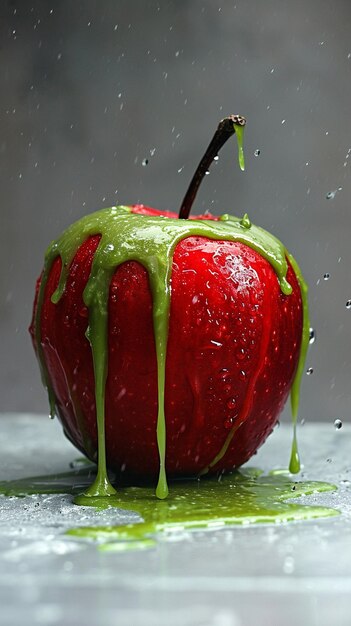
x,y
240,498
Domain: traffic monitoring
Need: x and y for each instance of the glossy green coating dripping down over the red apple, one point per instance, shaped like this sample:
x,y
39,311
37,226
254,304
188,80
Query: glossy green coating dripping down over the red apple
x,y
151,241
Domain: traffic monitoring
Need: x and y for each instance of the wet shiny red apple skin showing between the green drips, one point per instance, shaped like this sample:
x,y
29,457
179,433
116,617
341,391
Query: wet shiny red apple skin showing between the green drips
x,y
232,352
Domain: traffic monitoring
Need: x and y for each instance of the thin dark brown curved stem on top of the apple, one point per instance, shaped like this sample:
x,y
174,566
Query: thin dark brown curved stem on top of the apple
x,y
226,128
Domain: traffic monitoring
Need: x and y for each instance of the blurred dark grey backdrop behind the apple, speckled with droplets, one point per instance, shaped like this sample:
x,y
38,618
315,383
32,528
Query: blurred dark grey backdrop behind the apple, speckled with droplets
x,y
114,102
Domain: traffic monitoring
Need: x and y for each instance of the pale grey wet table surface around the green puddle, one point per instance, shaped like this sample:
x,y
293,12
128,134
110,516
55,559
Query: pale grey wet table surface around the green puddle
x,y
264,575
